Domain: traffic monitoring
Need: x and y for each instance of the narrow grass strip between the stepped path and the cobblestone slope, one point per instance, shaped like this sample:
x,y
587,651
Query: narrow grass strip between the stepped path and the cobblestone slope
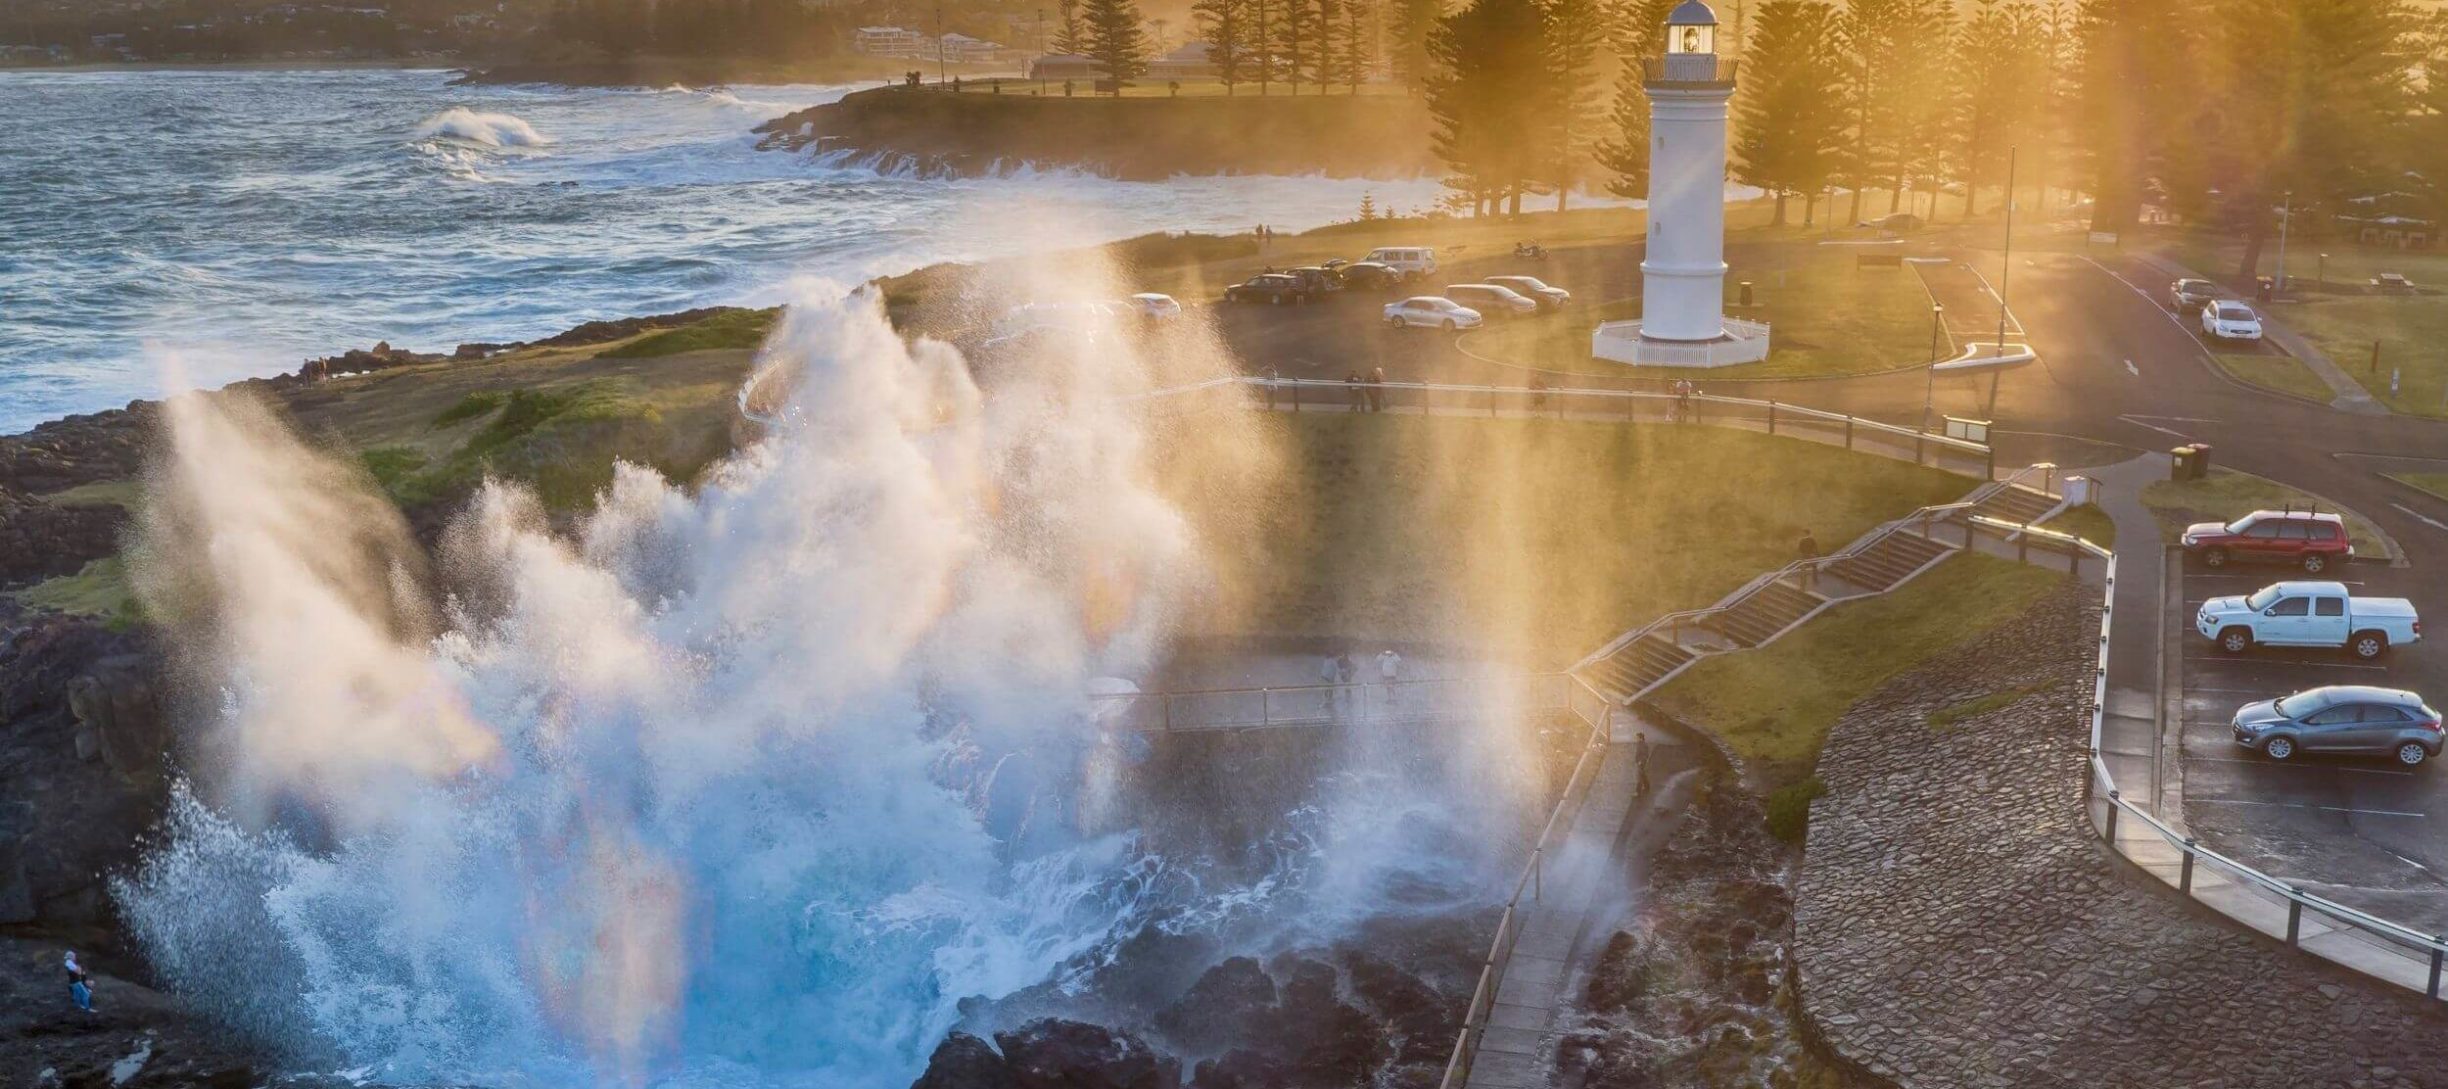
x,y
1778,704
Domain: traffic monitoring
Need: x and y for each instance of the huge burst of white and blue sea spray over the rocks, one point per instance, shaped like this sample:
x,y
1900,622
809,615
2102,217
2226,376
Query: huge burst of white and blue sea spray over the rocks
x,y
689,797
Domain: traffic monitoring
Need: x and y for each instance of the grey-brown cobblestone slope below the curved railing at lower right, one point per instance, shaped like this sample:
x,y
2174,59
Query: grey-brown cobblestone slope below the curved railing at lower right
x,y
1957,924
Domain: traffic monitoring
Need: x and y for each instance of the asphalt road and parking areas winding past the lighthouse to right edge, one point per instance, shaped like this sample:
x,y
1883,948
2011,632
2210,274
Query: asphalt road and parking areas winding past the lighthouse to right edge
x,y
2119,373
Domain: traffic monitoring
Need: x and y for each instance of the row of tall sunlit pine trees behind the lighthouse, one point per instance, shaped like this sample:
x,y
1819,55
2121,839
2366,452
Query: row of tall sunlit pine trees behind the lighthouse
x,y
2212,109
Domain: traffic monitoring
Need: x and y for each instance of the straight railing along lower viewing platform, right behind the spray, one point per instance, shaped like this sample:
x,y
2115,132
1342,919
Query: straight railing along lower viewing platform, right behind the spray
x,y
1338,706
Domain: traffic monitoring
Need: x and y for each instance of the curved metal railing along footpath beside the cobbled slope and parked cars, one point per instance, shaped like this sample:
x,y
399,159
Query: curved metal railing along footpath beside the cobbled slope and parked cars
x,y
2109,811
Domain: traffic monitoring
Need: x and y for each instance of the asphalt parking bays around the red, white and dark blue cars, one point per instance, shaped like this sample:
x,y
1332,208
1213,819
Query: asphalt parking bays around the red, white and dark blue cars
x,y
2354,828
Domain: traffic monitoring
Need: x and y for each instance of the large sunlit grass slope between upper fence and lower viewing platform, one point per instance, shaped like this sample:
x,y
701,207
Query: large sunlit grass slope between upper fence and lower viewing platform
x,y
1539,540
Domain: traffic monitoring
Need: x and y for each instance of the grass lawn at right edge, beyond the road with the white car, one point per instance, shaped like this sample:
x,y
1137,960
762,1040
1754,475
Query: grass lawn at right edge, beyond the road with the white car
x,y
2344,322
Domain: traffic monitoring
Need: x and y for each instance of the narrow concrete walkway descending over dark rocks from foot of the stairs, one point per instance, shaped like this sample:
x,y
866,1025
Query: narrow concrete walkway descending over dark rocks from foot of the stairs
x,y
1580,890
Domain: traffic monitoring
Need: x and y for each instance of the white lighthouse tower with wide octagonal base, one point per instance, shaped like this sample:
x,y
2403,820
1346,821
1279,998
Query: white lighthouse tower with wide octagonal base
x,y
1683,278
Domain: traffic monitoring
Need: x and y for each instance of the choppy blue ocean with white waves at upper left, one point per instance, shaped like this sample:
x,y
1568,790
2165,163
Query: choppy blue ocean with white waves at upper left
x,y
244,221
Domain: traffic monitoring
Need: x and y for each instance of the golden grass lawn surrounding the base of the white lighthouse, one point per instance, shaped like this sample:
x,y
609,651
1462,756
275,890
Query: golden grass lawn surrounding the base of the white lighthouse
x,y
1830,319
